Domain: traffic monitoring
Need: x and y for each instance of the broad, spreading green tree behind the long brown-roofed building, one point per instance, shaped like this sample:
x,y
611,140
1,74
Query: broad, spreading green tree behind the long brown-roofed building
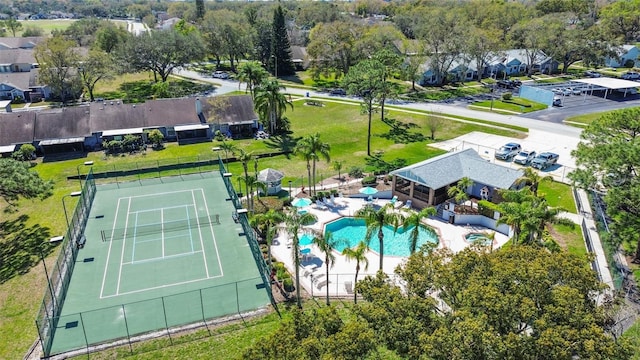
x,y
160,52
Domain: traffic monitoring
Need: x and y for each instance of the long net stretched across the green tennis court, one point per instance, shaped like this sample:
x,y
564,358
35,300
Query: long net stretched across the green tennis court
x,y
158,228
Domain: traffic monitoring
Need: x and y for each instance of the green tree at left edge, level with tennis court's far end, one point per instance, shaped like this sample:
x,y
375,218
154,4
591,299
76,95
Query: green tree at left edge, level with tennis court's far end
x,y
17,180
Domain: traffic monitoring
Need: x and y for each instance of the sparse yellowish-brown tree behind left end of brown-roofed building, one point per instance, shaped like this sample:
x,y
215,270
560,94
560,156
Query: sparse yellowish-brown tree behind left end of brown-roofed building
x,y
58,63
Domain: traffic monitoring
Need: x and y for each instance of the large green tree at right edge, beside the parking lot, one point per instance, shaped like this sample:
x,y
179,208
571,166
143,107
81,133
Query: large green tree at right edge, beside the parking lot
x,y
609,149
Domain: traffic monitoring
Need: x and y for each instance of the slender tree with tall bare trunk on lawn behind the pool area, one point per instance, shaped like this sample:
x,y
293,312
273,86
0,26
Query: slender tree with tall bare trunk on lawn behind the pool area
x,y
366,81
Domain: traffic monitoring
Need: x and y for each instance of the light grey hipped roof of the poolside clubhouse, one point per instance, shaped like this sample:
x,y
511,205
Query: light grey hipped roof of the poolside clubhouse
x,y
448,168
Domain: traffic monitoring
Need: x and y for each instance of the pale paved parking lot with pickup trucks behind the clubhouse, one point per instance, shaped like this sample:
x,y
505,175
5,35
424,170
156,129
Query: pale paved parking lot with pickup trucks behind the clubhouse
x,y
487,144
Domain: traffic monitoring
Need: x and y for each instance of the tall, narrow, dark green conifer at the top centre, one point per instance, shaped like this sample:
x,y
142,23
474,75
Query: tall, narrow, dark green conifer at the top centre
x,y
280,47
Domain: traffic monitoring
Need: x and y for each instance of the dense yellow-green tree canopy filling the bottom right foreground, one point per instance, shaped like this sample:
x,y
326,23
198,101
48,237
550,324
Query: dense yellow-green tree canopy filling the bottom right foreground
x,y
522,302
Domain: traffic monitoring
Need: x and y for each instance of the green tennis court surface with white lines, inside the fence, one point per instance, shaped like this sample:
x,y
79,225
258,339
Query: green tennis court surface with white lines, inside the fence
x,y
158,256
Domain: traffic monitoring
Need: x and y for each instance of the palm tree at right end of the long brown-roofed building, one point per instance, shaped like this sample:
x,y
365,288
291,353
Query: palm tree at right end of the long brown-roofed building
x,y
271,103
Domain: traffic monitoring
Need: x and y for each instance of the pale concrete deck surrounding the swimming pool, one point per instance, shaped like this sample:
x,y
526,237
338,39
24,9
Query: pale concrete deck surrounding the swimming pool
x,y
341,274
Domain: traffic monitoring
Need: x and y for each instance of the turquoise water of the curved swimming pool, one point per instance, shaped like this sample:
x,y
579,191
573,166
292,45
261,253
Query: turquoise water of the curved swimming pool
x,y
348,232
